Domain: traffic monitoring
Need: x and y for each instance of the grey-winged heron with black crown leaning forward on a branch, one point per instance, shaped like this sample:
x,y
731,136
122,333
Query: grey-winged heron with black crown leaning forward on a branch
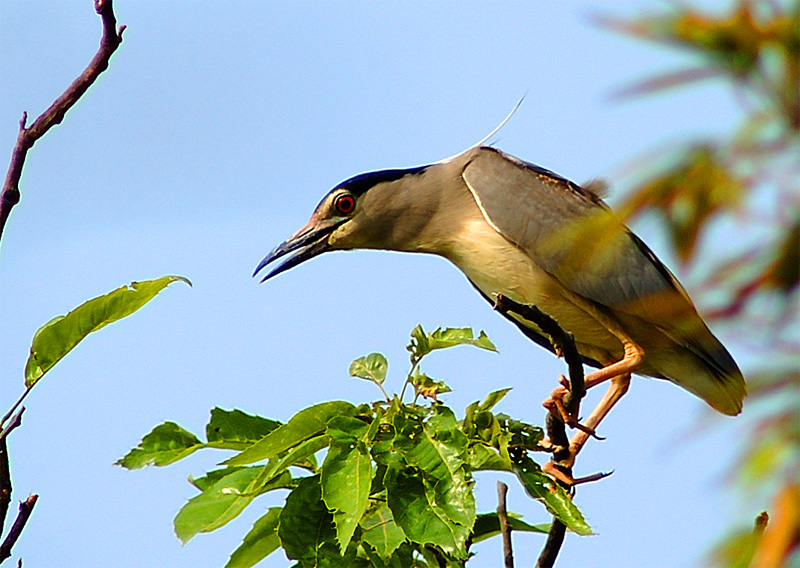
x,y
519,230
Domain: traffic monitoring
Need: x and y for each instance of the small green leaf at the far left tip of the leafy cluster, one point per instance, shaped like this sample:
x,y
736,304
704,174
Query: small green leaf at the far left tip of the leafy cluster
x,y
165,444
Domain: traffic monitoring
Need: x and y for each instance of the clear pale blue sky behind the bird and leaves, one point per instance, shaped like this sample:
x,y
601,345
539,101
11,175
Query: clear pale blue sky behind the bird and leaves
x,y
214,133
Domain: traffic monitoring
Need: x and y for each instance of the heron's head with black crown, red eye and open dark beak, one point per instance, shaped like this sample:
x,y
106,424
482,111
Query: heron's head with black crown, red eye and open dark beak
x,y
361,212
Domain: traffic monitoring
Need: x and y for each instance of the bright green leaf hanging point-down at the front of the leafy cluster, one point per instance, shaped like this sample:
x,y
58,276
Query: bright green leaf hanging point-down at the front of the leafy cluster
x,y
346,480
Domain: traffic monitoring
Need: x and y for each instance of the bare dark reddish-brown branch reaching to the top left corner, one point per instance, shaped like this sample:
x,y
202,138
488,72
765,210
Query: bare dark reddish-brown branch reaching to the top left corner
x,y
28,136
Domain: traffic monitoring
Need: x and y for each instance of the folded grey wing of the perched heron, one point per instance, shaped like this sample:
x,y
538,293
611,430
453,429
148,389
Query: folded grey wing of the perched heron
x,y
567,231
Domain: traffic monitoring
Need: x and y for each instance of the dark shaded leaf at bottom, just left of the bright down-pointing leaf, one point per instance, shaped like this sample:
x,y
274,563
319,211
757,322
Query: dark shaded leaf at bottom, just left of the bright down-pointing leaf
x,y
306,528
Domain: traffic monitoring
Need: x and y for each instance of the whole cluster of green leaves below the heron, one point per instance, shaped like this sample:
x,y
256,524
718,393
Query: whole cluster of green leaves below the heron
x,y
395,486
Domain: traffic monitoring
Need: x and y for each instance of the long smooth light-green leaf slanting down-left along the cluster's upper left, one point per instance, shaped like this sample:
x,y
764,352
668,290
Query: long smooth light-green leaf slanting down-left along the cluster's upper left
x,y
303,425
